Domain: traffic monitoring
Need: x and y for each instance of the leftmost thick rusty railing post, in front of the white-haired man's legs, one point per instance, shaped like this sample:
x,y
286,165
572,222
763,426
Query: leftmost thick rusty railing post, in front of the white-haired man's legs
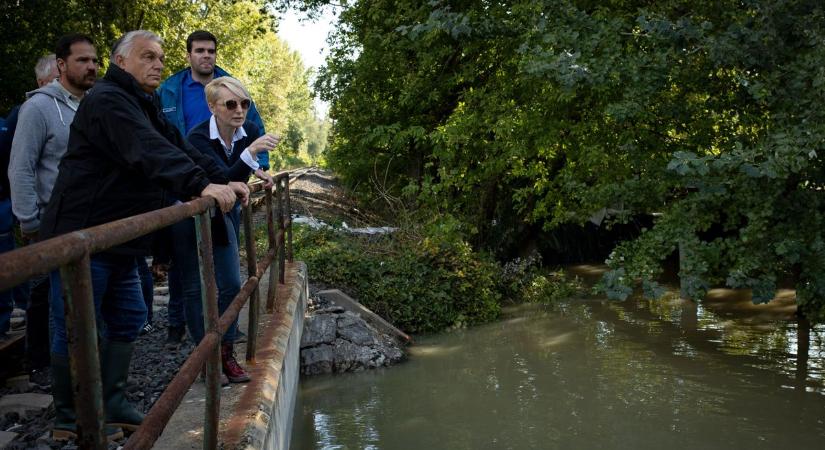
x,y
81,330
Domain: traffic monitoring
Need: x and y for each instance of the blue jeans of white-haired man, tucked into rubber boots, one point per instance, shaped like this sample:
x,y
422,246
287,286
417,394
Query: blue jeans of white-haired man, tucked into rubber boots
x,y
119,307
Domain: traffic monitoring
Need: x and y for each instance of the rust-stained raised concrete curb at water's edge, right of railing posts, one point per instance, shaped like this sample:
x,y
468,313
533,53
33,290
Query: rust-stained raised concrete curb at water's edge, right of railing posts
x,y
262,416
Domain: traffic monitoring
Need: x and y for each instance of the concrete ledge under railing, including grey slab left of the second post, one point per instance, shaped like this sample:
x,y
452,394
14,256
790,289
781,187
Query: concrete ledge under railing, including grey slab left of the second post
x,y
250,412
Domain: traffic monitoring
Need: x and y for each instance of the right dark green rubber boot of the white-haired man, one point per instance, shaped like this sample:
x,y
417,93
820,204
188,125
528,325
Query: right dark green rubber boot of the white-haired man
x,y
114,366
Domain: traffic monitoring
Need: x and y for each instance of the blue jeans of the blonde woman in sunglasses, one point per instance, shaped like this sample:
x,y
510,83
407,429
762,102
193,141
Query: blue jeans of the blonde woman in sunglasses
x,y
186,270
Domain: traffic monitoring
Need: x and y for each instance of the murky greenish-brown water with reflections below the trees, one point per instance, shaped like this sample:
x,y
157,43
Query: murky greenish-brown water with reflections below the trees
x,y
588,374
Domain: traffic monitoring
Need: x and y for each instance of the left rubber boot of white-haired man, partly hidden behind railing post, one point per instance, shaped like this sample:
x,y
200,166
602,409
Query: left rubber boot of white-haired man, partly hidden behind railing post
x,y
65,426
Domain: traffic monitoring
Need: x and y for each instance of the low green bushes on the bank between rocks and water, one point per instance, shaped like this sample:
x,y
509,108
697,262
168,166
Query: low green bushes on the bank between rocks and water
x,y
419,285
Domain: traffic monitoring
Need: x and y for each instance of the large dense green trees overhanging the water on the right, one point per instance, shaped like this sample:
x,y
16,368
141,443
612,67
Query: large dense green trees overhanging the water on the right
x,y
705,115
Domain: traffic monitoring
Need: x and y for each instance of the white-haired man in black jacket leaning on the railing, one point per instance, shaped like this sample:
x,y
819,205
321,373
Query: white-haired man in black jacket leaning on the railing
x,y
124,158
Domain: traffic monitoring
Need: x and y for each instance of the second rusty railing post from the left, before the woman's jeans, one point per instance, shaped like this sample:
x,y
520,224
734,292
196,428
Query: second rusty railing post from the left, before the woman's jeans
x,y
209,298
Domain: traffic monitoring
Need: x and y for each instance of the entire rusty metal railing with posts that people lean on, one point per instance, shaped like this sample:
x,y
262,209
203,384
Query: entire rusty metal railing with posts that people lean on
x,y
71,254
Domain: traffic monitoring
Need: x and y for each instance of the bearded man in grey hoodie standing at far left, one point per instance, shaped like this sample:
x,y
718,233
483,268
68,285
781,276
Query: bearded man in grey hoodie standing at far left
x,y
40,141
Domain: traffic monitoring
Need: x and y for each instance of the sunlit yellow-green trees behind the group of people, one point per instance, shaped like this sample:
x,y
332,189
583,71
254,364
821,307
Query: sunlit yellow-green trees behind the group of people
x,y
248,48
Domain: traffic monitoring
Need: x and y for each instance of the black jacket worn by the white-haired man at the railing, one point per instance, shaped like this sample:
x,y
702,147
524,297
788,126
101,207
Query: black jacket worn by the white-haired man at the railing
x,y
124,158
